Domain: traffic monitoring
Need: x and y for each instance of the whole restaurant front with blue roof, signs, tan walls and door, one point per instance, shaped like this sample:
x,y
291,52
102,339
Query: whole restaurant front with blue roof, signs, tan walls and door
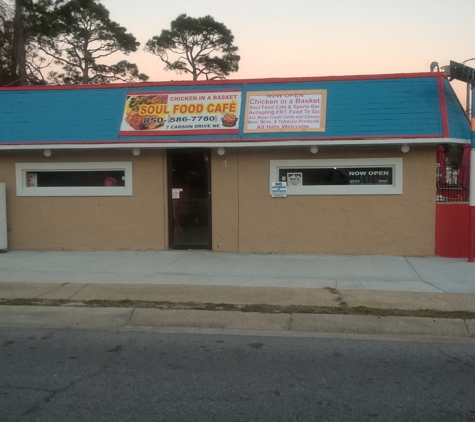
x,y
334,165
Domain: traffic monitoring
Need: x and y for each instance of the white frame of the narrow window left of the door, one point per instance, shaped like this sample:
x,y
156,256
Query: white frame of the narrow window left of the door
x,y
23,190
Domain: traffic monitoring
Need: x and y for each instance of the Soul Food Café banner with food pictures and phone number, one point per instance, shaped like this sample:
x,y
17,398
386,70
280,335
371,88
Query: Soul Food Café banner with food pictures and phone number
x,y
163,113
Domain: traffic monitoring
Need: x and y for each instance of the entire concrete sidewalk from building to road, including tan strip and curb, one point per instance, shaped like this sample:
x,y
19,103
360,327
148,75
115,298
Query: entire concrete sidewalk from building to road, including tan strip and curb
x,y
199,277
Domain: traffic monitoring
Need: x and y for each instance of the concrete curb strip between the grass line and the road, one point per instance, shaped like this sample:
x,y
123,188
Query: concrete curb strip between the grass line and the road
x,y
142,319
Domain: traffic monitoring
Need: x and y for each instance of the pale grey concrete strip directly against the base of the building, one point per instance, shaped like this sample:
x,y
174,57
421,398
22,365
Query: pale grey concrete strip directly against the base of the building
x,y
388,273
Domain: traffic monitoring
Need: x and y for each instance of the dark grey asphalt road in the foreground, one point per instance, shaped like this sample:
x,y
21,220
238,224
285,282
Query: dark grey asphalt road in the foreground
x,y
49,375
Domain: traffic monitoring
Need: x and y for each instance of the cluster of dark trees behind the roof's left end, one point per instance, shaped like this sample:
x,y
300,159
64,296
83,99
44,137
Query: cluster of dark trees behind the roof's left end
x,y
67,39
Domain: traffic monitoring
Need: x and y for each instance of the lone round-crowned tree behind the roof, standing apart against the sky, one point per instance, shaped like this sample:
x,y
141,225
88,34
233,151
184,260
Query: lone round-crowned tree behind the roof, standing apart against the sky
x,y
198,46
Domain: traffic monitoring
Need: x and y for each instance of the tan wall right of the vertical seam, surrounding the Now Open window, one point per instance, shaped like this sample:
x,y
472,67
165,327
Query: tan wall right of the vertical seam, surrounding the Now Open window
x,y
339,224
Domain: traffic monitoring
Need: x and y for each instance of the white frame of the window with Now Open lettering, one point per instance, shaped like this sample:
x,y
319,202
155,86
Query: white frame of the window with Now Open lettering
x,y
394,189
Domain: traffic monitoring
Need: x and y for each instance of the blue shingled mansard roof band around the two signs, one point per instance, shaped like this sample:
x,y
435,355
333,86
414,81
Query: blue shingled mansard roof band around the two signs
x,y
392,107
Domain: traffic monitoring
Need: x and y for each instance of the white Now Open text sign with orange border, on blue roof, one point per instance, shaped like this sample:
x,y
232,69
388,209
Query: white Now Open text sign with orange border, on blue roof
x,y
285,111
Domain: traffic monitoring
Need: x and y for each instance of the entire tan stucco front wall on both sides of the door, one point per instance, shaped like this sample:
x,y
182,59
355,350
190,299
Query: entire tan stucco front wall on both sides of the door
x,y
244,216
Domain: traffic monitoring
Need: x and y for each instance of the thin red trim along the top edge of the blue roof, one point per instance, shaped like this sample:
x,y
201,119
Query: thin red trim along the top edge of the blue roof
x,y
229,82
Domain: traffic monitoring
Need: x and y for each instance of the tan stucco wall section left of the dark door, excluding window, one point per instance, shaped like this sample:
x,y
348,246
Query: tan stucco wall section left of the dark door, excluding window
x,y
135,222
